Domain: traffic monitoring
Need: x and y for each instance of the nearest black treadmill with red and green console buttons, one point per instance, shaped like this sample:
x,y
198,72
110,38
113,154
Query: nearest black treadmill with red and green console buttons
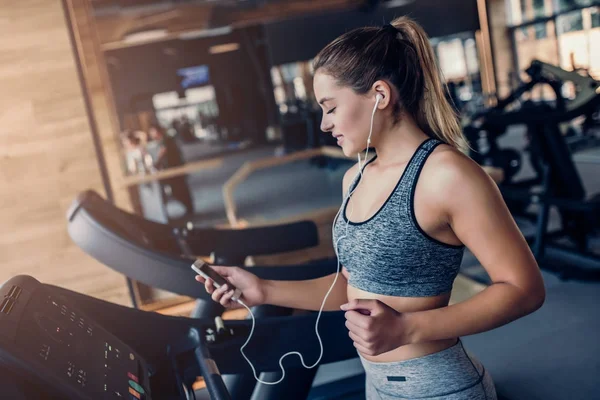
x,y
59,344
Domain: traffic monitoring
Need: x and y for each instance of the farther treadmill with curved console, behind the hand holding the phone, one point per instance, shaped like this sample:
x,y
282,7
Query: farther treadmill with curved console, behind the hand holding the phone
x,y
160,255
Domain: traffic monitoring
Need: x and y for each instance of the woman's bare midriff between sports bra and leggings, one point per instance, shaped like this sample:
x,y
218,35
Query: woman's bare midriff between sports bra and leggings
x,y
402,305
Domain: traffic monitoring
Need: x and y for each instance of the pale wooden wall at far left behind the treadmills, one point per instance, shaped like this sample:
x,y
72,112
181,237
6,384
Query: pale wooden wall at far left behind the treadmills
x,y
46,152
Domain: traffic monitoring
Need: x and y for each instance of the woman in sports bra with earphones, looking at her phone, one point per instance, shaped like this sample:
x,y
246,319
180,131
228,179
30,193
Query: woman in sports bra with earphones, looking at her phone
x,y
413,209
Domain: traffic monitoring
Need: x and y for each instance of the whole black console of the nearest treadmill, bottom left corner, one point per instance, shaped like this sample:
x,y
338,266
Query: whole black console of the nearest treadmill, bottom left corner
x,y
50,343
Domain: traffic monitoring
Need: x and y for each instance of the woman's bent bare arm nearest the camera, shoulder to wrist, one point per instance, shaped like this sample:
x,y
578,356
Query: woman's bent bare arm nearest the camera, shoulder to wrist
x,y
478,216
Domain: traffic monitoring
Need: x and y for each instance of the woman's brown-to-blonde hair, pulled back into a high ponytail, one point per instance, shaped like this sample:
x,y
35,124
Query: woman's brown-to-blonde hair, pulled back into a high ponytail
x,y
401,54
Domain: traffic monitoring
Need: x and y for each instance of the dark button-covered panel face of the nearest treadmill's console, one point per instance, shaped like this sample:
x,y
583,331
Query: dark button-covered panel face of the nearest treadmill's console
x,y
82,355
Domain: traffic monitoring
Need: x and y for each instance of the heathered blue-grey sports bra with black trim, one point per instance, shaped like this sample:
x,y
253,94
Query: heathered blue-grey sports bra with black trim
x,y
389,253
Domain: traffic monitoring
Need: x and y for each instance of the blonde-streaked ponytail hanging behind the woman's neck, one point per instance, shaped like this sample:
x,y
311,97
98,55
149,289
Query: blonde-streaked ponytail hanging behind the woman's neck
x,y
434,114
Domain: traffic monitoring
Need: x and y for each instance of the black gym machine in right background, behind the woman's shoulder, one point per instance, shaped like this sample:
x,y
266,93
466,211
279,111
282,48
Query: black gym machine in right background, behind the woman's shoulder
x,y
555,181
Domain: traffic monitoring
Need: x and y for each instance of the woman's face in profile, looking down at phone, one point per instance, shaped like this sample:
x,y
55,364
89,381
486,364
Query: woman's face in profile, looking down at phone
x,y
345,114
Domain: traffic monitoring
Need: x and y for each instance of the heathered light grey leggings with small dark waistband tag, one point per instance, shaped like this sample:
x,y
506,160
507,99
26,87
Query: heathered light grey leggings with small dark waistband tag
x,y
451,374
